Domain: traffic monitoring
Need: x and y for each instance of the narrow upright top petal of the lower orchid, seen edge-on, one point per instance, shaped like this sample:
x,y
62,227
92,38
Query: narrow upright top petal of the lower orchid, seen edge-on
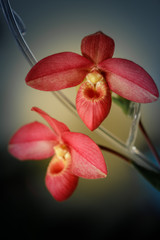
x,y
57,126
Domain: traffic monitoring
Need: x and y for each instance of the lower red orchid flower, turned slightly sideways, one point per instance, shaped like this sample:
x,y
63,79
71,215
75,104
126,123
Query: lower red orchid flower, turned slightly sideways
x,y
74,154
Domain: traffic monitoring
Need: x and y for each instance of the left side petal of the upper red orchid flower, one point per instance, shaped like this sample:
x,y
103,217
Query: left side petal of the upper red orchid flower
x,y
58,71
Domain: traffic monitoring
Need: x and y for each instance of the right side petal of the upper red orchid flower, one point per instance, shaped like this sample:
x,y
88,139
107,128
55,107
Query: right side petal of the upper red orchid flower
x,y
129,80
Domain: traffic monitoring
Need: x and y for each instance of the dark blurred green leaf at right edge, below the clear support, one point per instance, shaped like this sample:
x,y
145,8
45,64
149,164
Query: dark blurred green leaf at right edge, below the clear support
x,y
149,175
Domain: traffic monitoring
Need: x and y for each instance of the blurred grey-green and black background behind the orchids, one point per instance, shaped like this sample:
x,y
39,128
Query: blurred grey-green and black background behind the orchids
x,y
124,203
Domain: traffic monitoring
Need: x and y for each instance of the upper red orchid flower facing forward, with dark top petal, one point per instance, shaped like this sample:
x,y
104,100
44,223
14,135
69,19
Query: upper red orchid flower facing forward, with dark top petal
x,y
98,73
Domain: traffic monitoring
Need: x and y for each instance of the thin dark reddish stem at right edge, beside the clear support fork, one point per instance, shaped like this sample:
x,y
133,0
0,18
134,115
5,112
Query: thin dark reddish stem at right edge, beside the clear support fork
x,y
149,142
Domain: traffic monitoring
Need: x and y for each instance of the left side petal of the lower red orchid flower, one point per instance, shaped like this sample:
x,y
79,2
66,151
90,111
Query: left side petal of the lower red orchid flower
x,y
33,141
